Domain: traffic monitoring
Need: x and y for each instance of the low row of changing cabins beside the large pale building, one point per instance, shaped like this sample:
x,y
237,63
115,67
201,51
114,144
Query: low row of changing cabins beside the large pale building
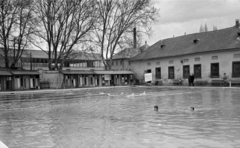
x,y
74,78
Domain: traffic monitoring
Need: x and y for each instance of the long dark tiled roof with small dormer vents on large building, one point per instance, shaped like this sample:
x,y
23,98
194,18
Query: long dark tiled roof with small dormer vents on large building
x,y
207,41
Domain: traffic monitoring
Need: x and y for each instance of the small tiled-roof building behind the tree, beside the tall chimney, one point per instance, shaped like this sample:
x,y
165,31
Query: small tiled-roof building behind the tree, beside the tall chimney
x,y
121,59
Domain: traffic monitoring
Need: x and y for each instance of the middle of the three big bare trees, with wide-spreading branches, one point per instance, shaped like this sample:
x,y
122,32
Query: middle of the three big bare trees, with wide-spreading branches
x,y
64,24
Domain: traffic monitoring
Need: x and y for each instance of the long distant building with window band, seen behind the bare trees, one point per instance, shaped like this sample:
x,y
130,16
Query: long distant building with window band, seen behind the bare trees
x,y
38,59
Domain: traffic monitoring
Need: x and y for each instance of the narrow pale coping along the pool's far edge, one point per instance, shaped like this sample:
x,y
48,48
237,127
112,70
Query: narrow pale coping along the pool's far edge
x,y
74,89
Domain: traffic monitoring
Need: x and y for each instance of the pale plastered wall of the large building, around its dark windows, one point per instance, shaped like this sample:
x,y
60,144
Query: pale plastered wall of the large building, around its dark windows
x,y
225,59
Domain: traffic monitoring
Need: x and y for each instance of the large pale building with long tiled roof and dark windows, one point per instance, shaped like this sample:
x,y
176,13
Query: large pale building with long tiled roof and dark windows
x,y
207,55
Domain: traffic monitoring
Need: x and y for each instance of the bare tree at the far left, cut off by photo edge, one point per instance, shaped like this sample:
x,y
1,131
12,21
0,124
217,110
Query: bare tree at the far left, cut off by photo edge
x,y
16,28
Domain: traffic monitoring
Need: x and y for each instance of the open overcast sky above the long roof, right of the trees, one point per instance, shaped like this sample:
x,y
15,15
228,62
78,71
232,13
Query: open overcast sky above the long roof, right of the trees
x,y
180,16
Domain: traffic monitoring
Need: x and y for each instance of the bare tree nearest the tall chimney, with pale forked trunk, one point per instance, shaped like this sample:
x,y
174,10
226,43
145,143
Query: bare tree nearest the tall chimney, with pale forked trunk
x,y
116,20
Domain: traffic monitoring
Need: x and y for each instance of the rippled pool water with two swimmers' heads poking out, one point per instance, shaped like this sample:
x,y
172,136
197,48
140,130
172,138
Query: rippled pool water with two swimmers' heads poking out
x,y
122,118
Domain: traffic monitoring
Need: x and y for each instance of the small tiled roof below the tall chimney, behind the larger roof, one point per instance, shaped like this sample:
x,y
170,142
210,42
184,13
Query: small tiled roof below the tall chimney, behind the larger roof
x,y
129,52
